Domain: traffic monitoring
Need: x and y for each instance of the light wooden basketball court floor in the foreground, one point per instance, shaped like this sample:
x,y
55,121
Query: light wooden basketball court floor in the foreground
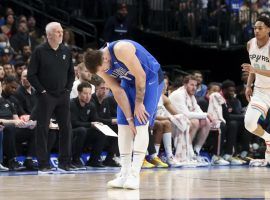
x,y
176,183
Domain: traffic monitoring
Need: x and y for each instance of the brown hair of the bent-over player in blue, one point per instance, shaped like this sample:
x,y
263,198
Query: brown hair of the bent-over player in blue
x,y
92,59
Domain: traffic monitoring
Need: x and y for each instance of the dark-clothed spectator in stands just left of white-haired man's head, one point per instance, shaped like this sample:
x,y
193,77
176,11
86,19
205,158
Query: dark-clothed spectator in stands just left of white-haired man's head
x,y
22,38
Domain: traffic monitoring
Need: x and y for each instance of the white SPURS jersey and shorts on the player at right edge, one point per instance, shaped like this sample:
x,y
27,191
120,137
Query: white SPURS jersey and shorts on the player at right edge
x,y
260,59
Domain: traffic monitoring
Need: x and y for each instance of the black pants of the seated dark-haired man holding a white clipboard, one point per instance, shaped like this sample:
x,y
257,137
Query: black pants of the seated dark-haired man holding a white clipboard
x,y
85,137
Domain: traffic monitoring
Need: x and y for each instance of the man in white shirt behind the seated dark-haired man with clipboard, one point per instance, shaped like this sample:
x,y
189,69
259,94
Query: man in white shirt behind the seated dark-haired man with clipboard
x,y
84,75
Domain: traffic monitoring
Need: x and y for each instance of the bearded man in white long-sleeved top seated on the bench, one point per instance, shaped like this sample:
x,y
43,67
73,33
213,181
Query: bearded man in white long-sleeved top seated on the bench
x,y
185,102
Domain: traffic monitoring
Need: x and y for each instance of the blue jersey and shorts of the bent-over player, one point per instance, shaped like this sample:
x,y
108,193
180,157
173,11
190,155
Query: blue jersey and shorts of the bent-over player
x,y
153,87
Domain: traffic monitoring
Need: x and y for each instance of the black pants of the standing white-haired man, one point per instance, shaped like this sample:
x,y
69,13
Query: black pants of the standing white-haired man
x,y
48,104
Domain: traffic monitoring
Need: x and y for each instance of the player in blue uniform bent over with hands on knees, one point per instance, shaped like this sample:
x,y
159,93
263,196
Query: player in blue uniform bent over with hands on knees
x,y
137,96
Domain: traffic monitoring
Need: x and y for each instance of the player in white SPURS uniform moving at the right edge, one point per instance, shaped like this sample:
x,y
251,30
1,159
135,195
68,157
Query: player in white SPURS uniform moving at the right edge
x,y
259,71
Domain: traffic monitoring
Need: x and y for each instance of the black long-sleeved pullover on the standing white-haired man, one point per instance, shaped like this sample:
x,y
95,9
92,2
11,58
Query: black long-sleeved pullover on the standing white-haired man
x,y
51,70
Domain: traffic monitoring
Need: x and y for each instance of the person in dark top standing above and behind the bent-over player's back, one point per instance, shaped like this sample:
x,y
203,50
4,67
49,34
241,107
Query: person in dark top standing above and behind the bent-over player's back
x,y
118,26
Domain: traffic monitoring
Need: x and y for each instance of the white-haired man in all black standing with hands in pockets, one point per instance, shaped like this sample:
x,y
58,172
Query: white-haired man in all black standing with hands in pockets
x,y
51,73
